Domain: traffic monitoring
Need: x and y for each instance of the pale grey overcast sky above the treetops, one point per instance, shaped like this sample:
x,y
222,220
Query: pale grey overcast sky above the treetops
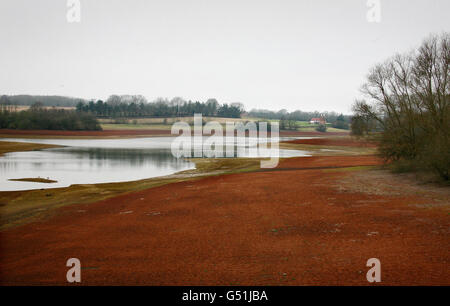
x,y
292,54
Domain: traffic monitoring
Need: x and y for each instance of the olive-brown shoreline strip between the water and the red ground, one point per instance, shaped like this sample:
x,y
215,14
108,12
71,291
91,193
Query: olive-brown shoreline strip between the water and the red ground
x,y
49,198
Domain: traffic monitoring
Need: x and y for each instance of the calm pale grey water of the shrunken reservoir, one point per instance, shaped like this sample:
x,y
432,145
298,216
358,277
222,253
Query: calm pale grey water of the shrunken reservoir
x,y
88,161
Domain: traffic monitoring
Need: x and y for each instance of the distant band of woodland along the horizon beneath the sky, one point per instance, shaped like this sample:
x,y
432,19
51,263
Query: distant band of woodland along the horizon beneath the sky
x,y
137,106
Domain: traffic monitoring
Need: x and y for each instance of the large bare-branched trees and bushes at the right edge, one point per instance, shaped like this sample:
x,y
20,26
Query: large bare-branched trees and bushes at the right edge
x,y
406,107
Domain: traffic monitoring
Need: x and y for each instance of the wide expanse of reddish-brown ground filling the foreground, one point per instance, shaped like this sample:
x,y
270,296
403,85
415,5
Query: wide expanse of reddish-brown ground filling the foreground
x,y
311,221
